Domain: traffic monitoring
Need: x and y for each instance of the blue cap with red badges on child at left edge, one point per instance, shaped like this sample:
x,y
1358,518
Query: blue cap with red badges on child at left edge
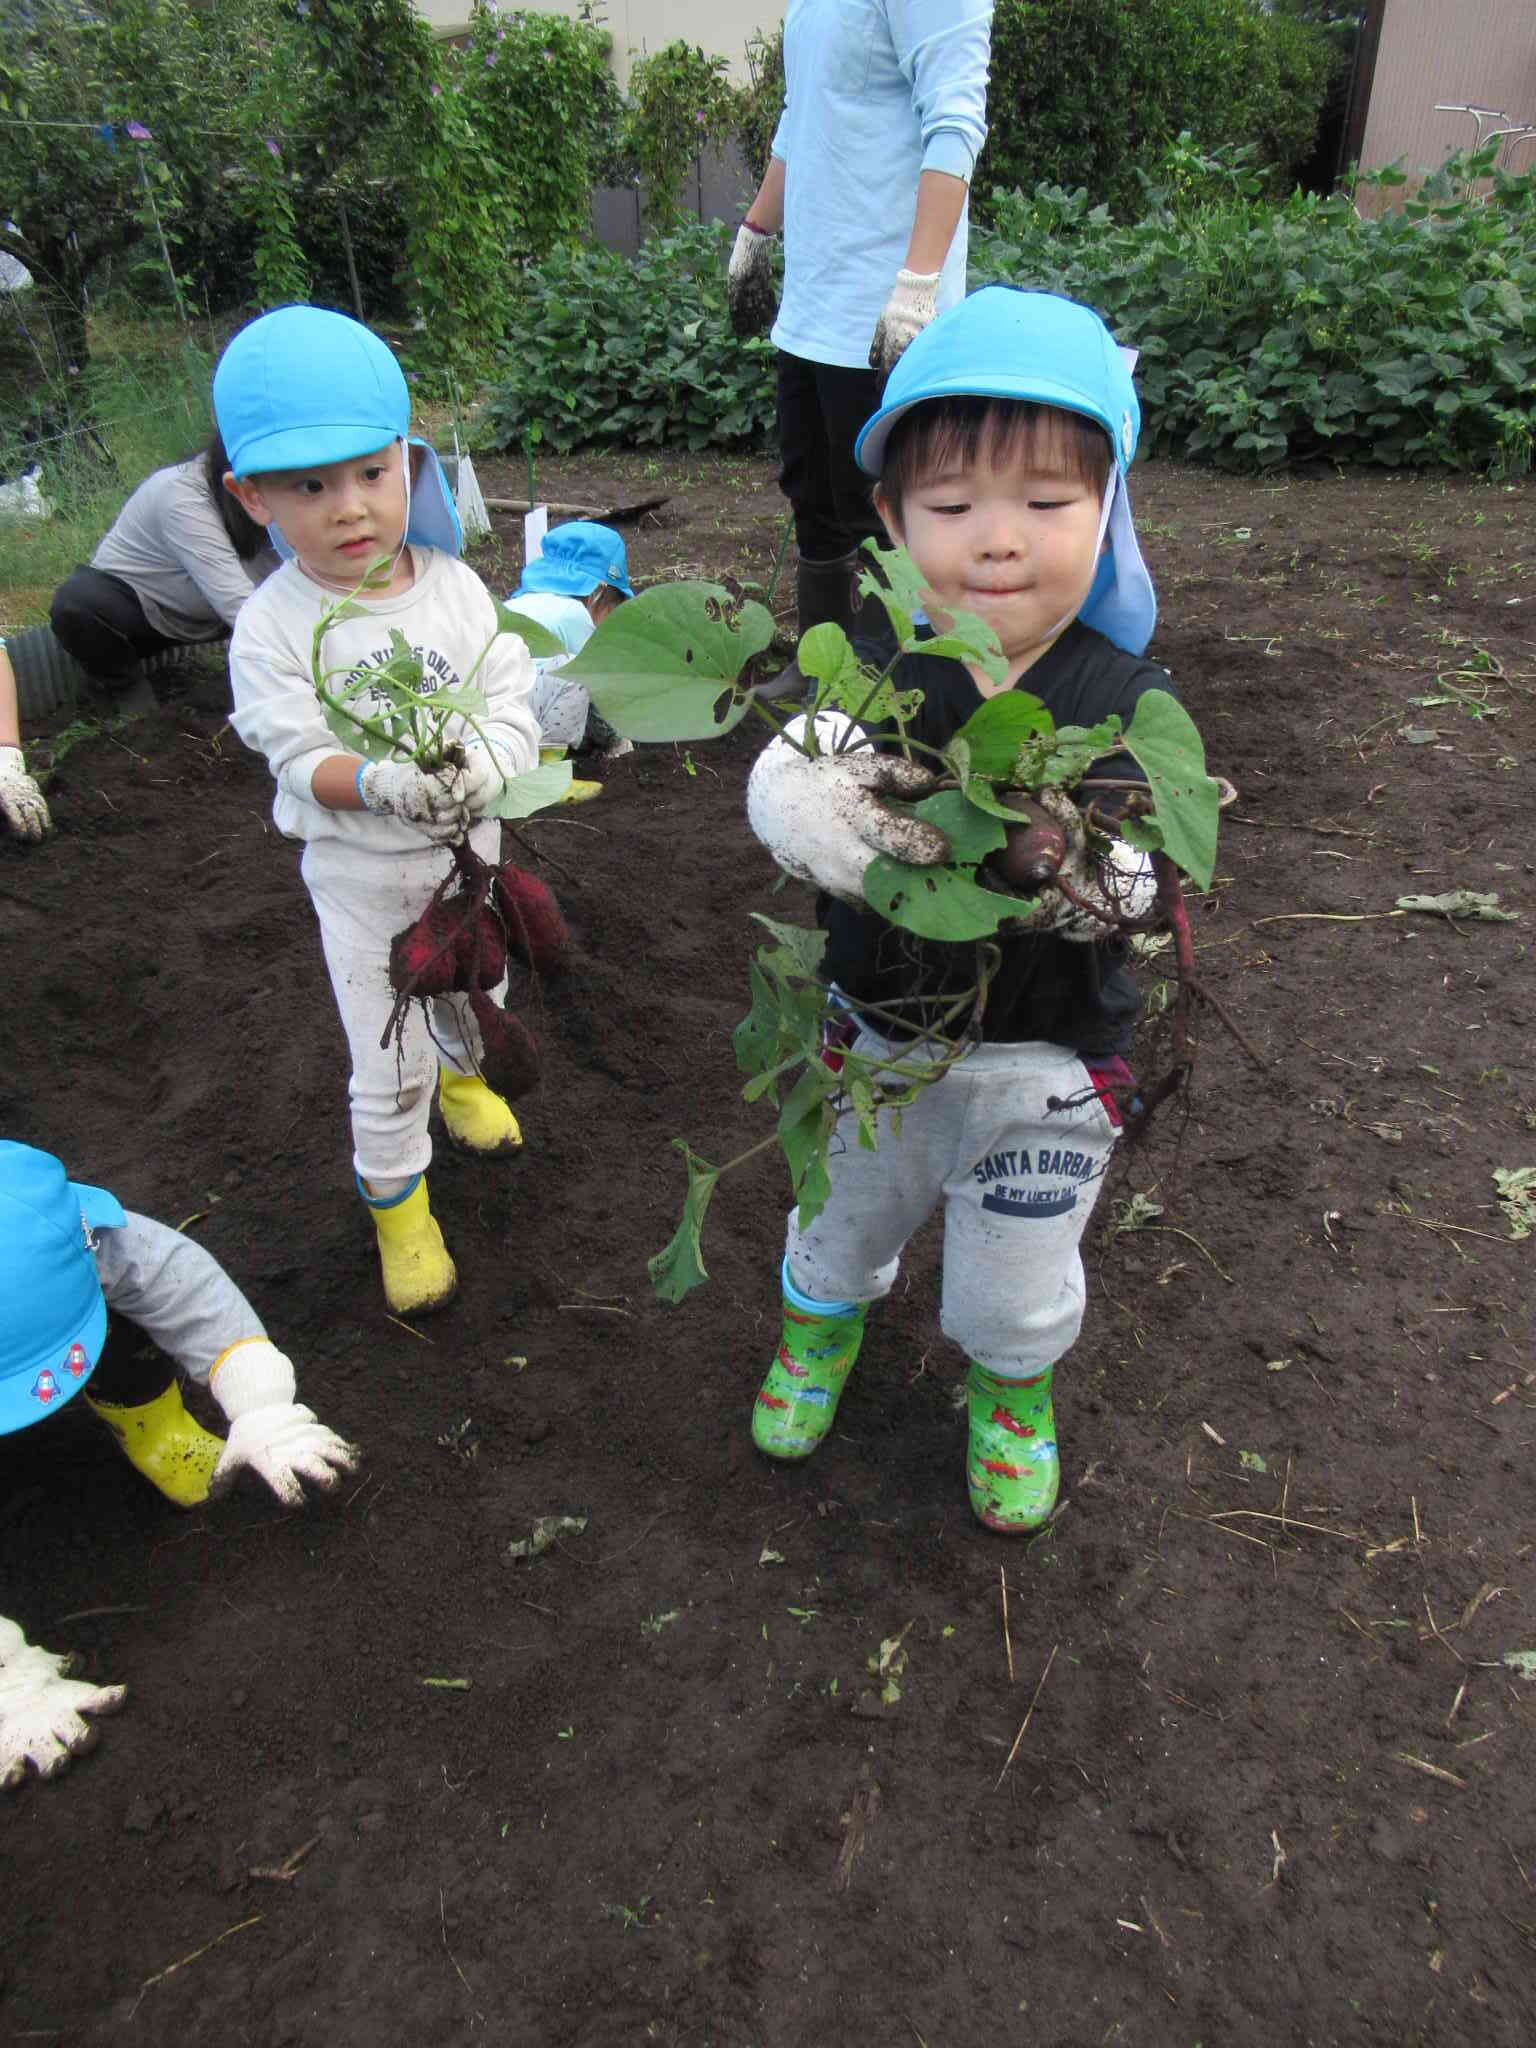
x,y
52,1308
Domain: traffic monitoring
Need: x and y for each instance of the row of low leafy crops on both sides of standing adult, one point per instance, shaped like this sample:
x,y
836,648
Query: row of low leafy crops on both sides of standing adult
x,y
1269,335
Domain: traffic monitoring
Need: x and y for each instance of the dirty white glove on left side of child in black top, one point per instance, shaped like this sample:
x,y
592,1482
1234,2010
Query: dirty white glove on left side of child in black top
x,y
822,818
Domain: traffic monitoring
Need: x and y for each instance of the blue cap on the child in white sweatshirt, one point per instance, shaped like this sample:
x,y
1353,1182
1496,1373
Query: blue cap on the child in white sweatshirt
x,y
302,388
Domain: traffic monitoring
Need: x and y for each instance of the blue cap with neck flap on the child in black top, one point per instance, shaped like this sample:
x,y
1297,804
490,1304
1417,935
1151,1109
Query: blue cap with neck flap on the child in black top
x,y
1048,351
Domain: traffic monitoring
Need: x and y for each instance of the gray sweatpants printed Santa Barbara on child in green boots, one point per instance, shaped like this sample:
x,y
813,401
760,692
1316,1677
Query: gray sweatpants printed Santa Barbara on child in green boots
x,y
1017,1183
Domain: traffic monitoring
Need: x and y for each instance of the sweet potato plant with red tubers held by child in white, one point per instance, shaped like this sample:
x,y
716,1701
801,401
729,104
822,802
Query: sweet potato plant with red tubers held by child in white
x,y
478,912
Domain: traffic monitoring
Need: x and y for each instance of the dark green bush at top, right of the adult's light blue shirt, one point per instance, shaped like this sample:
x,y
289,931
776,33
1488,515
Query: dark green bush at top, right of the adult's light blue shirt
x,y
1082,99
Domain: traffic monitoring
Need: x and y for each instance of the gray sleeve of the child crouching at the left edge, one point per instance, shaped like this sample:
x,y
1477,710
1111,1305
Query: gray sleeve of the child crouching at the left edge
x,y
175,1291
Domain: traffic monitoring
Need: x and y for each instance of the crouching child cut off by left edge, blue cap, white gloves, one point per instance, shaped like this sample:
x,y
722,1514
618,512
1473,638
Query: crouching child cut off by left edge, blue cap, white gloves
x,y
81,1283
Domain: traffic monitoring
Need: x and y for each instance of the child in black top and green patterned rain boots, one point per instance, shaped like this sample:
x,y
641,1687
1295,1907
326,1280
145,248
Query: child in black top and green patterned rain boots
x,y
1000,454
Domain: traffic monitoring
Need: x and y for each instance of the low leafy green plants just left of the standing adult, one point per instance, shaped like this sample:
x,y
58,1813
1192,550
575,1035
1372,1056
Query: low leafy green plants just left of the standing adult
x,y
632,351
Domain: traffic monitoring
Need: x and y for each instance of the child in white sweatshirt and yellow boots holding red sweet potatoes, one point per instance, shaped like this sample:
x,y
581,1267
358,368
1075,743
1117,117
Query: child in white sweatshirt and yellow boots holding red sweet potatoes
x,y
316,421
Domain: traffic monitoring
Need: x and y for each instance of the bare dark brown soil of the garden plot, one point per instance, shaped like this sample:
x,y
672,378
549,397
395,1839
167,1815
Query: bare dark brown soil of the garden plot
x,y
1277,1777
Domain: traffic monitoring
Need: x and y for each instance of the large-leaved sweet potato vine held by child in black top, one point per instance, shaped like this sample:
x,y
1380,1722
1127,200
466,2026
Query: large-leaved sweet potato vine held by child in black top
x,y
669,669
